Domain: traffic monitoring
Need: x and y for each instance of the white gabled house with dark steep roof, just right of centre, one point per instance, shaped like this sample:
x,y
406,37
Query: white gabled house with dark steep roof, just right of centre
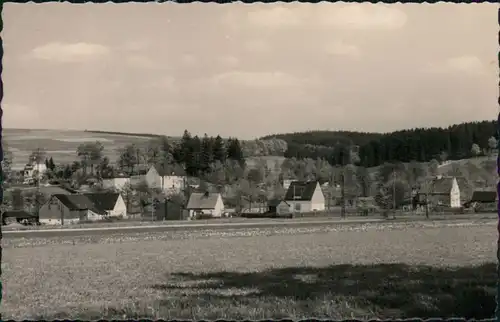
x,y
303,197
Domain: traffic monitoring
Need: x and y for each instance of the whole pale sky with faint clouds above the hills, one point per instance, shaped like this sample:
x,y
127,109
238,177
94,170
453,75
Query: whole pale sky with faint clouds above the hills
x,y
248,70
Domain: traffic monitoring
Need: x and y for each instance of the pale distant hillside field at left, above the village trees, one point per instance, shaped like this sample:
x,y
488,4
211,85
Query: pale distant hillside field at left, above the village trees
x,y
61,144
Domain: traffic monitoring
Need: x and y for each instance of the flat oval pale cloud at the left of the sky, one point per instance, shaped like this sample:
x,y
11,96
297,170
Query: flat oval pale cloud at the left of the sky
x,y
65,53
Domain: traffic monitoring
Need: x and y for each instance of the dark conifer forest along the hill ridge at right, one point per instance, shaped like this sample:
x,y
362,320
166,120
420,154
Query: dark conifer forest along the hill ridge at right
x,y
423,145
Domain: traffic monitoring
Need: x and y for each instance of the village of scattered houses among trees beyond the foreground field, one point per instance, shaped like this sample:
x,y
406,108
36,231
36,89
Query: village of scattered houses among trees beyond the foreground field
x,y
157,194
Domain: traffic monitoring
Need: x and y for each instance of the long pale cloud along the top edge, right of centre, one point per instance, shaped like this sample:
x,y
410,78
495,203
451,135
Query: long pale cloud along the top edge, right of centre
x,y
350,16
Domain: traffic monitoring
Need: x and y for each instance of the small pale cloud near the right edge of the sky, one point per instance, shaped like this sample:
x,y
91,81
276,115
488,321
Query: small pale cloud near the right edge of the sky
x,y
470,65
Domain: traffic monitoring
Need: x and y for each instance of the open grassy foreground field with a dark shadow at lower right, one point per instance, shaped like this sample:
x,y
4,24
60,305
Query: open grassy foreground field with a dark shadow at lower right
x,y
338,271
